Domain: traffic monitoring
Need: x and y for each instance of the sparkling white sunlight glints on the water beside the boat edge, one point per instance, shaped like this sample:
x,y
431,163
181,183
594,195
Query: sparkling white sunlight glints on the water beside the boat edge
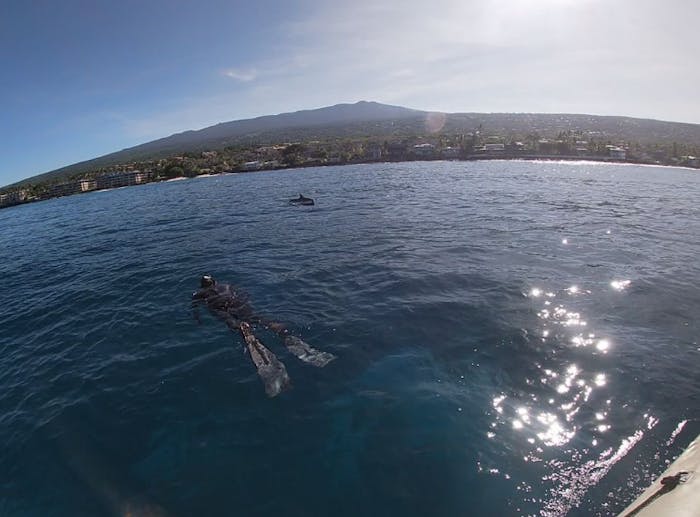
x,y
560,405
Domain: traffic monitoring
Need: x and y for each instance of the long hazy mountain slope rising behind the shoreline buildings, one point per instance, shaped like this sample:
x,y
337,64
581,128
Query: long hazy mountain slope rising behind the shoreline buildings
x,y
372,119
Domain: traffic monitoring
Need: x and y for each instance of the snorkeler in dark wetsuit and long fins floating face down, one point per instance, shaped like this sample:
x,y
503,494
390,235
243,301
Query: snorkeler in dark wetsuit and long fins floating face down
x,y
231,305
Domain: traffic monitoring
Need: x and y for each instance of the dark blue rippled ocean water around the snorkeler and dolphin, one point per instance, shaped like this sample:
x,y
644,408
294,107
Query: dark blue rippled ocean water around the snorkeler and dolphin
x,y
512,339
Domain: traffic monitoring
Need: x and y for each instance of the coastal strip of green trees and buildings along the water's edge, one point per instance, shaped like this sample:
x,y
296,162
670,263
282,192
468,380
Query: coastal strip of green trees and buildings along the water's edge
x,y
339,151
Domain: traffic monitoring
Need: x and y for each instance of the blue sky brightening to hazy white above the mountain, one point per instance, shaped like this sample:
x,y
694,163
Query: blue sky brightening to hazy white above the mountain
x,y
83,78
